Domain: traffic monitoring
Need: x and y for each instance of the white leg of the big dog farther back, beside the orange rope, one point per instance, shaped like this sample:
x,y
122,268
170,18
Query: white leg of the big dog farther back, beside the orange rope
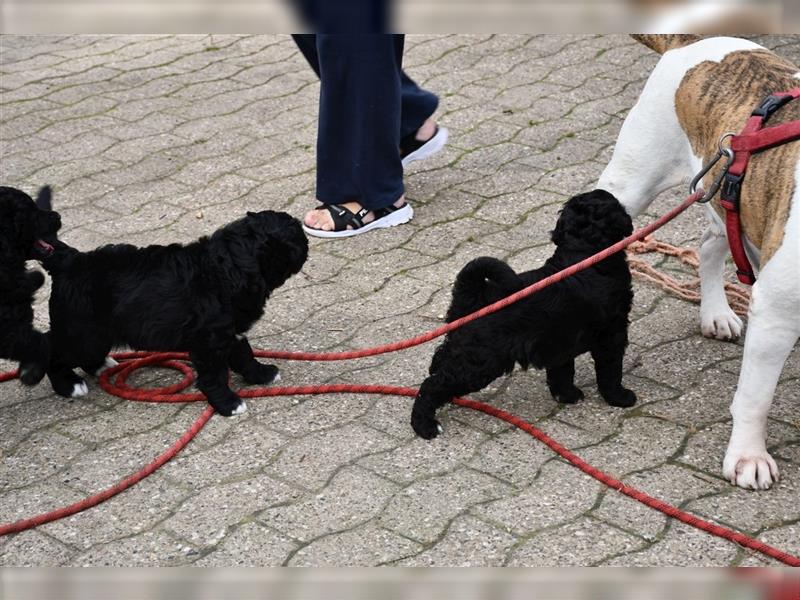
x,y
717,320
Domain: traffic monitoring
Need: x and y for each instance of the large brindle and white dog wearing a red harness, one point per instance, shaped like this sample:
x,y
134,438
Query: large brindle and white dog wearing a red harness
x,y
699,90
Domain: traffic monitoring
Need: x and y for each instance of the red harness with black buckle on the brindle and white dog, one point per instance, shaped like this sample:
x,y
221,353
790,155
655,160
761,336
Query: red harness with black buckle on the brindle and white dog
x,y
753,138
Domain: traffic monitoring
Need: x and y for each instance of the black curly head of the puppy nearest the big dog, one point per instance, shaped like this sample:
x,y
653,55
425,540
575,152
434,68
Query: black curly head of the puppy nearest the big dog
x,y
591,221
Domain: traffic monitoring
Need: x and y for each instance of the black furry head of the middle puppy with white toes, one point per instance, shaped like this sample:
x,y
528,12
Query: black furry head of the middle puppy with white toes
x,y
274,241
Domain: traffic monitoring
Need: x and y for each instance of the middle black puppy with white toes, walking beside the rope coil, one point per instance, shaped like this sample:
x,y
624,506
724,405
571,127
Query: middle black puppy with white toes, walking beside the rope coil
x,y
199,298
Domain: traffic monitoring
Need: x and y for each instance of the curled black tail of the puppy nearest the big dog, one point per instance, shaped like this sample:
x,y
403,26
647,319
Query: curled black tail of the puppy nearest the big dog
x,y
481,282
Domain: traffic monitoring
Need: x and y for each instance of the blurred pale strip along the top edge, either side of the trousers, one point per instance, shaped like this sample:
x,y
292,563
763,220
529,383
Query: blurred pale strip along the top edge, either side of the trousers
x,y
411,16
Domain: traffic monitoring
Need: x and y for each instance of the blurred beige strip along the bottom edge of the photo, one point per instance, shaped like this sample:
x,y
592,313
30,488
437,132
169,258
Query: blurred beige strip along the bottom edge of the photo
x,y
390,584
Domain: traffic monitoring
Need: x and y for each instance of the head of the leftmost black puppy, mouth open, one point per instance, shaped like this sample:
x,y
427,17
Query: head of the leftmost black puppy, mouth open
x,y
25,225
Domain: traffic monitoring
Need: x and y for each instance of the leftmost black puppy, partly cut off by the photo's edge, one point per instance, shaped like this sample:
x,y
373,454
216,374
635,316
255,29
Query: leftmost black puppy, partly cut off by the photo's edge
x,y
22,225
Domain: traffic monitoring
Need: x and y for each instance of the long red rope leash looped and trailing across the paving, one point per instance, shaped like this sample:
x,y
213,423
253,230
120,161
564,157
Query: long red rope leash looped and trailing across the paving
x,y
136,360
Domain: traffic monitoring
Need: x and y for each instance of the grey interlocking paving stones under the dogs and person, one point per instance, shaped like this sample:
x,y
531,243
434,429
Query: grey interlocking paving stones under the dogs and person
x,y
155,139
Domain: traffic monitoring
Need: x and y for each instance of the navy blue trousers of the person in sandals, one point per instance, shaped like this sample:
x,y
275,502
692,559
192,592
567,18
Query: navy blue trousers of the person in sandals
x,y
366,104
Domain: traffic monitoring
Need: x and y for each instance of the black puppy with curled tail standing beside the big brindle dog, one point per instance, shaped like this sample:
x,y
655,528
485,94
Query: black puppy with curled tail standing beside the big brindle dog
x,y
587,312
